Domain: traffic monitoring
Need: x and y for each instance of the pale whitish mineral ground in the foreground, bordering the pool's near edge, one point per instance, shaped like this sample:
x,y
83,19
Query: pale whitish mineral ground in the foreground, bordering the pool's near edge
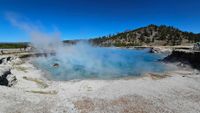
x,y
173,92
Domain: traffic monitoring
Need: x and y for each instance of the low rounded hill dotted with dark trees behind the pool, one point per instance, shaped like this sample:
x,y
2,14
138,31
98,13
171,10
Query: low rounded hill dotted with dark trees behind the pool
x,y
150,35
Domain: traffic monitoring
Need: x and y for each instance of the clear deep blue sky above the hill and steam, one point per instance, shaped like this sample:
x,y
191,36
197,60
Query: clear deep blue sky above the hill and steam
x,y
83,19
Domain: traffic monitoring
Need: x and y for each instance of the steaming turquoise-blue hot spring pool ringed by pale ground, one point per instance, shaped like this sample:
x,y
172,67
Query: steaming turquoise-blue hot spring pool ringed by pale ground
x,y
100,63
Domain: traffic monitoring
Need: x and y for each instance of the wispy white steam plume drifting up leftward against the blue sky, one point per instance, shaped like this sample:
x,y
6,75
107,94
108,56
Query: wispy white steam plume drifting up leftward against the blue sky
x,y
43,42
